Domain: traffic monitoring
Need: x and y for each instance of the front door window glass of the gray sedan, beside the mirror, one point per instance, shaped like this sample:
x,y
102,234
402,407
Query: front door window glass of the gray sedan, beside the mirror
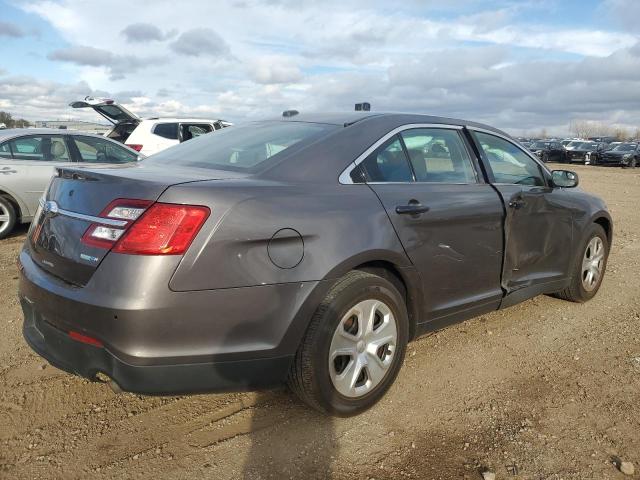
x,y
508,163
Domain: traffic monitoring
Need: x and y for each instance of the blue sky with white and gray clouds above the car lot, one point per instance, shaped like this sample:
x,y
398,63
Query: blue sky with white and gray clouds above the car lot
x,y
519,65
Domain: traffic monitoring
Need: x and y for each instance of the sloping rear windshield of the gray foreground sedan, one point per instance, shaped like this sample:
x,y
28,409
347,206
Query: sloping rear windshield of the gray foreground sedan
x,y
247,148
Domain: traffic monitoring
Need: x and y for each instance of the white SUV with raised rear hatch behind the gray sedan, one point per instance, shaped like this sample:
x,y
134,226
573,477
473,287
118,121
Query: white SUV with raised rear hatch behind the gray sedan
x,y
150,135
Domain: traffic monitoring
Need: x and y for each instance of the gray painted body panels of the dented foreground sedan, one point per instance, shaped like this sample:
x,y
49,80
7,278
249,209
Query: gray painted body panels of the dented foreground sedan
x,y
276,241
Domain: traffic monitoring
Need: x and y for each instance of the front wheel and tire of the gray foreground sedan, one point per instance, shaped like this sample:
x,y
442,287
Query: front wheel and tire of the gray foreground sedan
x,y
582,289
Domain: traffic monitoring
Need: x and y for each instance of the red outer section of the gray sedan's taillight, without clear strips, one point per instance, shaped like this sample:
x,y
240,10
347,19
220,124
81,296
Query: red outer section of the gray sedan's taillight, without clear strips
x,y
164,229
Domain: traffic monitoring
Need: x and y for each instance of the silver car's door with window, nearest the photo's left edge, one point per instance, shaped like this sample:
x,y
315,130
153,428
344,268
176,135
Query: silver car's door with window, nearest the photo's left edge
x,y
33,158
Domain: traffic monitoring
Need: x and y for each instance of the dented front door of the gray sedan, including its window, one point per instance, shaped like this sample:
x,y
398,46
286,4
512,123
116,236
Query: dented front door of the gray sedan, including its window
x,y
538,222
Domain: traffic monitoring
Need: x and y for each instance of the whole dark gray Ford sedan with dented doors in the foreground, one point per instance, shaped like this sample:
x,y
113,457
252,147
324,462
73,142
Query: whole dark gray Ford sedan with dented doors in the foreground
x,y
333,241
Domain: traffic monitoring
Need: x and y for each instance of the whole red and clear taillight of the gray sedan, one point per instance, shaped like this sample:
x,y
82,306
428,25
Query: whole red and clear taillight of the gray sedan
x,y
147,229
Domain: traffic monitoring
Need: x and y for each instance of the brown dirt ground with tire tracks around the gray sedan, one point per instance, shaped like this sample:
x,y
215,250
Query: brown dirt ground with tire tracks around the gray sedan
x,y
543,390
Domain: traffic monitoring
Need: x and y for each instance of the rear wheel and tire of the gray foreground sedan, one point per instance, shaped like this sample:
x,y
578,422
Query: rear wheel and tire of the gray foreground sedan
x,y
316,372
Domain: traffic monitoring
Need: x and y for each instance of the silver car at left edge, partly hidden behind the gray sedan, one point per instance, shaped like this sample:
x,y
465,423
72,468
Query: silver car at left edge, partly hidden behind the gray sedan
x,y
28,158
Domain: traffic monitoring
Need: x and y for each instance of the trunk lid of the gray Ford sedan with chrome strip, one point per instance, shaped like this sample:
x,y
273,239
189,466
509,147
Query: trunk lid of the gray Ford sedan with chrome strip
x,y
77,196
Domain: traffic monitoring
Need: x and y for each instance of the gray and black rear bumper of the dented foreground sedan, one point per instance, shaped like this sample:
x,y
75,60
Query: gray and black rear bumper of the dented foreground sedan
x,y
177,342
